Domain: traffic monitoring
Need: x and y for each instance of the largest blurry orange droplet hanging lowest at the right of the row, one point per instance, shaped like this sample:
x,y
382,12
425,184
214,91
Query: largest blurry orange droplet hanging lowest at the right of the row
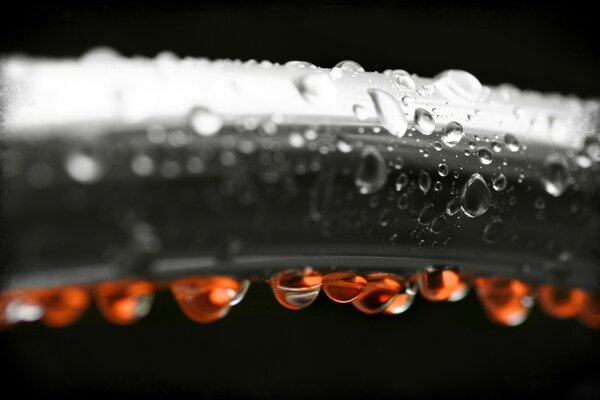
x,y
506,301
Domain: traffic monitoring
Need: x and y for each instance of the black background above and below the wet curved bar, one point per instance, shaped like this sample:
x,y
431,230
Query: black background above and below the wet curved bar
x,y
328,350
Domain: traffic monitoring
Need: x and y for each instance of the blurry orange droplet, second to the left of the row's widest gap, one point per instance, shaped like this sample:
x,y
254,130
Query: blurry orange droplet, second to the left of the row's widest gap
x,y
124,302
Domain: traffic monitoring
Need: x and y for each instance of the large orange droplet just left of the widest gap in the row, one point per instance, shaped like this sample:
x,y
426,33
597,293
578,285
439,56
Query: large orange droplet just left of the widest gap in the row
x,y
206,299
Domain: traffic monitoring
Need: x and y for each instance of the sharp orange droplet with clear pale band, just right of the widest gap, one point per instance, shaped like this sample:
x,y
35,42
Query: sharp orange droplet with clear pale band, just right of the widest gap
x,y
295,289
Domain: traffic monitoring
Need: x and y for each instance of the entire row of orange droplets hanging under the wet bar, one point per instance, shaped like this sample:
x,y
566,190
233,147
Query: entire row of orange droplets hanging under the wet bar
x,y
208,298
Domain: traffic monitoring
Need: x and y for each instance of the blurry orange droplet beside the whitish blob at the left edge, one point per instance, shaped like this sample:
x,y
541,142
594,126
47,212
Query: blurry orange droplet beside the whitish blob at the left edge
x,y
62,306
